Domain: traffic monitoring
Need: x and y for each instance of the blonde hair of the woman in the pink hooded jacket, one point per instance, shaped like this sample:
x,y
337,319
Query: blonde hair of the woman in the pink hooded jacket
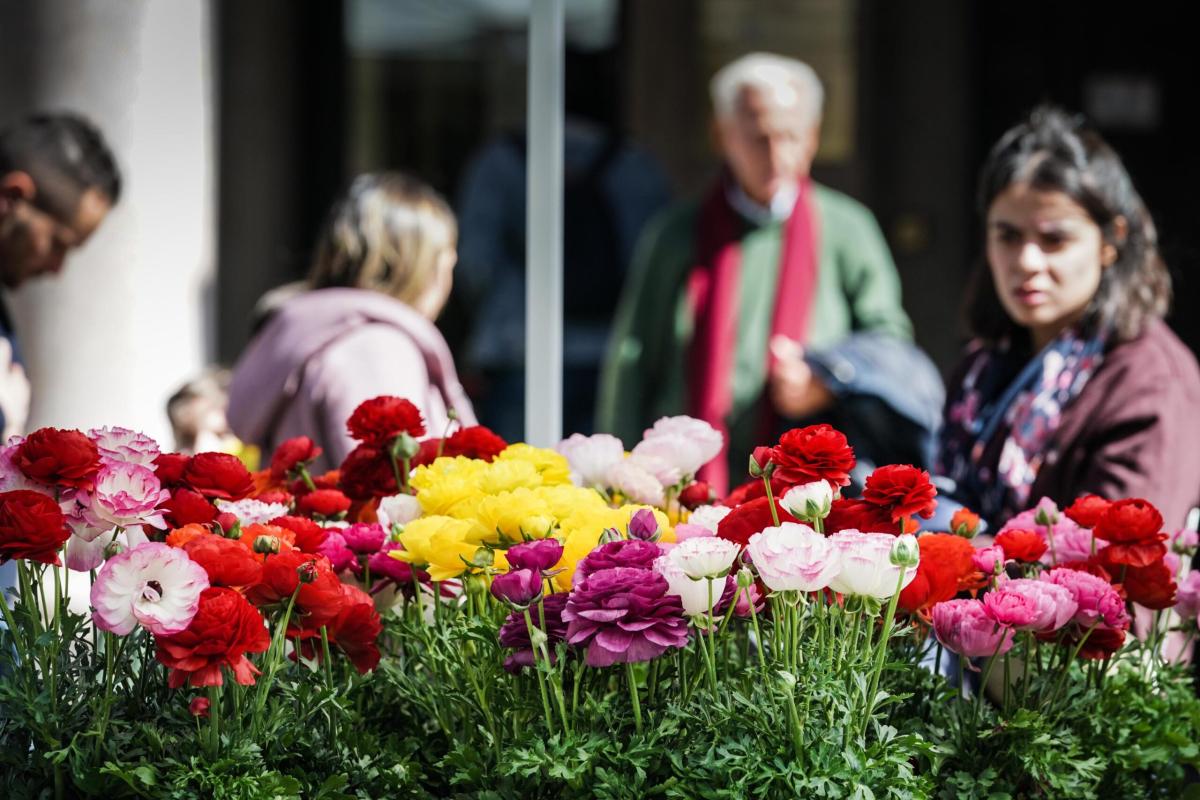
x,y
386,234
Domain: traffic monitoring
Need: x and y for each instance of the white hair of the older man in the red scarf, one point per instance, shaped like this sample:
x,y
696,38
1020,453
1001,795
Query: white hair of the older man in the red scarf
x,y
785,80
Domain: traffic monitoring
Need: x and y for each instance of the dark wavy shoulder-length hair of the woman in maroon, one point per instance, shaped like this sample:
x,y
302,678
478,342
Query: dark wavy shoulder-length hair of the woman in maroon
x,y
1055,152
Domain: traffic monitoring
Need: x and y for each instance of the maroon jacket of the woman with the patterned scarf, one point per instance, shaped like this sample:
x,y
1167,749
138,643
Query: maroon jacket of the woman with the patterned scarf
x,y
1135,431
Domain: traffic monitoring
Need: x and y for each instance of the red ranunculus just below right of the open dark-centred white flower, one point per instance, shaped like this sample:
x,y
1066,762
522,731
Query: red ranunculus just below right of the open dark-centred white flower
x,y
225,629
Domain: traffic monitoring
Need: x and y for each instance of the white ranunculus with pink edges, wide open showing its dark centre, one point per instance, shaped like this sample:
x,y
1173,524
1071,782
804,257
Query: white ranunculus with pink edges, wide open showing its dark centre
x,y
154,586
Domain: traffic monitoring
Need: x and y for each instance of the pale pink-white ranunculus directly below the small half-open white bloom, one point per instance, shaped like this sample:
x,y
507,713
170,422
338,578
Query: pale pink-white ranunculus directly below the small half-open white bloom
x,y
794,558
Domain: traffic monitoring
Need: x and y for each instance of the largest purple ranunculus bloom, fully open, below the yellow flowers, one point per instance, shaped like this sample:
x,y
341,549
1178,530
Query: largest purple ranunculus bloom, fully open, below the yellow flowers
x,y
625,615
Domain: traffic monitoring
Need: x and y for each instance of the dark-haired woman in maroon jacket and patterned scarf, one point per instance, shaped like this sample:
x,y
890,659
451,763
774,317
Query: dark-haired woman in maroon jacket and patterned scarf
x,y
1073,384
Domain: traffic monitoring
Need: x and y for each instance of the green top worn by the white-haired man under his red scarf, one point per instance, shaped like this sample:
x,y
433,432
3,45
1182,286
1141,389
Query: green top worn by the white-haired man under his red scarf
x,y
645,372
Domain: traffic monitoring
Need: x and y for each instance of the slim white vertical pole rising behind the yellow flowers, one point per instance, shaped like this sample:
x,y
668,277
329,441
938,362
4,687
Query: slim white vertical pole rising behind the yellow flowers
x,y
544,227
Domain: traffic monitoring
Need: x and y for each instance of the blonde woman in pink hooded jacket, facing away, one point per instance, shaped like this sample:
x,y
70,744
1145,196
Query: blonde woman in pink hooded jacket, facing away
x,y
364,327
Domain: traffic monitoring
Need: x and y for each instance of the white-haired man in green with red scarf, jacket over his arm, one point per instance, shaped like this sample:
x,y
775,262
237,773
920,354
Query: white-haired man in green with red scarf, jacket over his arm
x,y
758,308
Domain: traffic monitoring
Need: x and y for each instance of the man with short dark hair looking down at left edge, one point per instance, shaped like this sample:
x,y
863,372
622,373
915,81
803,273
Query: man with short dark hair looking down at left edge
x,y
58,182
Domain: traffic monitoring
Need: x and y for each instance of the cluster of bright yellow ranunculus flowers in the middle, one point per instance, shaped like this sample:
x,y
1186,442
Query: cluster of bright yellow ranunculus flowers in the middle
x,y
473,510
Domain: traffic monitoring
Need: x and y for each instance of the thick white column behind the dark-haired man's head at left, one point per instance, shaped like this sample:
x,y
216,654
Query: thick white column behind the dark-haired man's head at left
x,y
130,318
